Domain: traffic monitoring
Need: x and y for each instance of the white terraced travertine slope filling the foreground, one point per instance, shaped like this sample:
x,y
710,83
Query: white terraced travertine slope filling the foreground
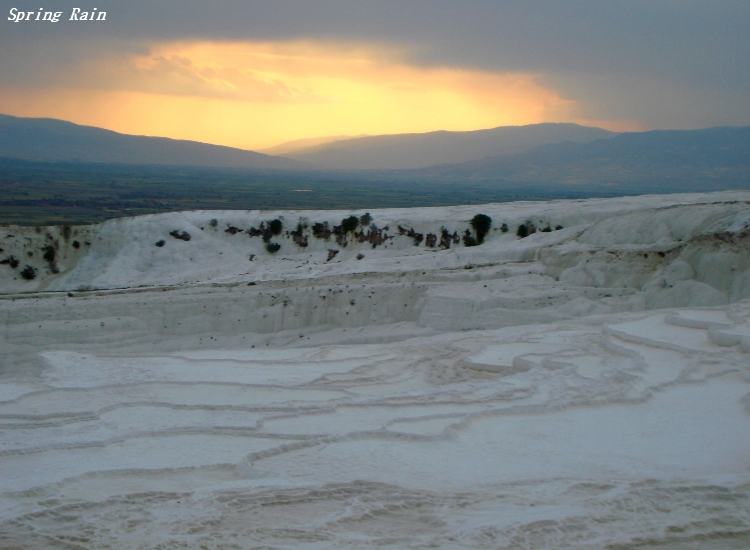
x,y
586,387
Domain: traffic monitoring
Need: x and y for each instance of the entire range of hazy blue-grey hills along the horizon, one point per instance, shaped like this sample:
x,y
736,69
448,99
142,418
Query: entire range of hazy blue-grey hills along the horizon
x,y
547,153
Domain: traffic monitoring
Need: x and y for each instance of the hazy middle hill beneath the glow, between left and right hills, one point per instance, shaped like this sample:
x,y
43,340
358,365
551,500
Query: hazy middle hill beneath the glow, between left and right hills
x,y
406,151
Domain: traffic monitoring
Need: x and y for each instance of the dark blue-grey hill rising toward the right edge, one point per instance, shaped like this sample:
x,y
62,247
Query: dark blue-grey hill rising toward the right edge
x,y
662,157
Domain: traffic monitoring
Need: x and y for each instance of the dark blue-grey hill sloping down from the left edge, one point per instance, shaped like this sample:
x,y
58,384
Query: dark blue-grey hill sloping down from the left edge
x,y
48,139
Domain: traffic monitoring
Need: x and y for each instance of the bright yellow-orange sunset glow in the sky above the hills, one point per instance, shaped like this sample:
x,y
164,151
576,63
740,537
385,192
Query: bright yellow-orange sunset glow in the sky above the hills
x,y
254,95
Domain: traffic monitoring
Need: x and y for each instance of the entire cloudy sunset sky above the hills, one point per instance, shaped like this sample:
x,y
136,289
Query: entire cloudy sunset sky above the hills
x,y
256,73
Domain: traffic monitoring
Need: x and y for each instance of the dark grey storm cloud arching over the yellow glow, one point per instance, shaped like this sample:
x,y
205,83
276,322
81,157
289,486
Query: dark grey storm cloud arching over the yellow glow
x,y
619,58
